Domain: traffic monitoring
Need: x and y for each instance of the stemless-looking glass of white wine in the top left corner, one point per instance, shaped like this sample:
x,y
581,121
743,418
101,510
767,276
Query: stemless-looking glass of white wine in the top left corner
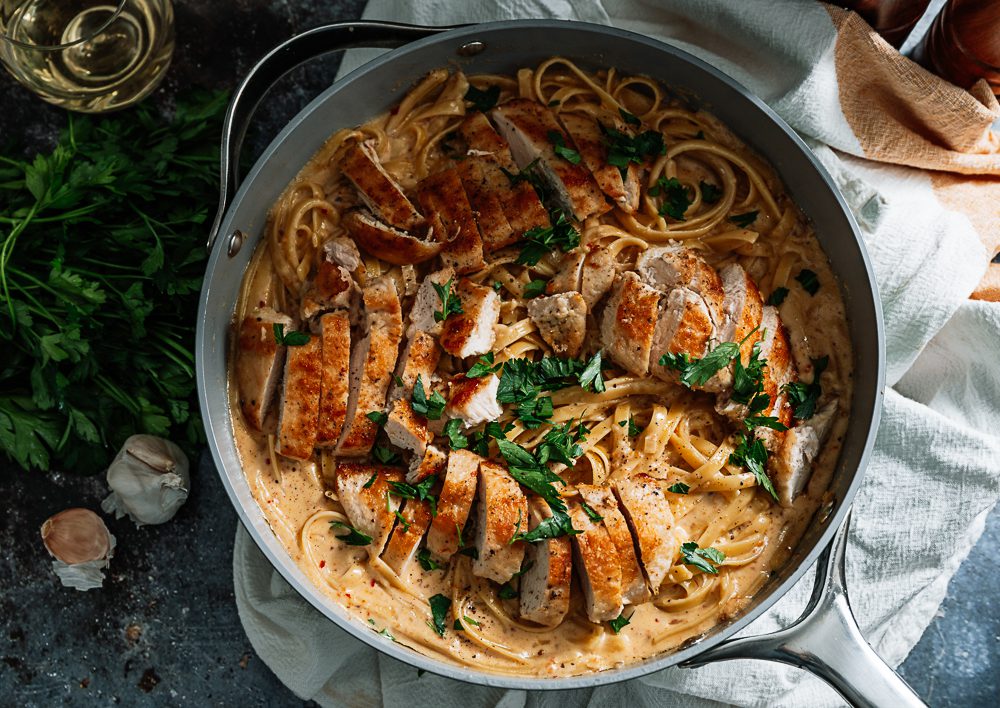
x,y
87,55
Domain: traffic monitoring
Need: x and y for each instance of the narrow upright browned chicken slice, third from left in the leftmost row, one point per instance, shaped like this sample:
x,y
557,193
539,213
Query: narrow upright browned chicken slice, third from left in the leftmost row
x,y
335,332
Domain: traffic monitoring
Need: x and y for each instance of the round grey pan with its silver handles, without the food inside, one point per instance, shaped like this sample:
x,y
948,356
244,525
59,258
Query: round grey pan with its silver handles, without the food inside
x,y
826,640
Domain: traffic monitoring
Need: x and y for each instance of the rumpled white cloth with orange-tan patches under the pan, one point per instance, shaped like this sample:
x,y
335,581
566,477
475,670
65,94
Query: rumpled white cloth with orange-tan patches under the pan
x,y
918,163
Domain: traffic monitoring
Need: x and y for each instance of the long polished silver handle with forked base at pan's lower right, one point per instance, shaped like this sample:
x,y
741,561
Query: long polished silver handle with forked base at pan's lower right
x,y
826,641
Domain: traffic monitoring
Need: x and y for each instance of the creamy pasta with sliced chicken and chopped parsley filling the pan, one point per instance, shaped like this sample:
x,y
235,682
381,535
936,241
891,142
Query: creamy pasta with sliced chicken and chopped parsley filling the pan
x,y
542,374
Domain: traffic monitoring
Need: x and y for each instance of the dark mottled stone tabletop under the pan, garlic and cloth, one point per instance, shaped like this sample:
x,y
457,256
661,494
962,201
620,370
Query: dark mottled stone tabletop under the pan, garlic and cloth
x,y
164,629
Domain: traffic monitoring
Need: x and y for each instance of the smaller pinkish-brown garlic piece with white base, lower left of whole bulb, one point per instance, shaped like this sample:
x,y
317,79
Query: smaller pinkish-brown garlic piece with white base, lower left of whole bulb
x,y
81,545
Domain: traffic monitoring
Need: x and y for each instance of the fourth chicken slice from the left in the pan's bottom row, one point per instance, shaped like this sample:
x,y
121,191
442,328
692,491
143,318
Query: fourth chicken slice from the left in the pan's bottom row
x,y
503,513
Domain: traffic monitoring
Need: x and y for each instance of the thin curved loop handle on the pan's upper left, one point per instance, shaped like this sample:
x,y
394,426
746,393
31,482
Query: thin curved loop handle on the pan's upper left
x,y
278,62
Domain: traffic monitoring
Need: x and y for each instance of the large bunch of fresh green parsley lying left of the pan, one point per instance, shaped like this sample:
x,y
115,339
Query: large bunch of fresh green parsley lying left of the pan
x,y
101,264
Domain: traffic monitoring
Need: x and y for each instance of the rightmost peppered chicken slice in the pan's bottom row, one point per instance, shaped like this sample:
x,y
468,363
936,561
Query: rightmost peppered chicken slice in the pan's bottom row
x,y
644,503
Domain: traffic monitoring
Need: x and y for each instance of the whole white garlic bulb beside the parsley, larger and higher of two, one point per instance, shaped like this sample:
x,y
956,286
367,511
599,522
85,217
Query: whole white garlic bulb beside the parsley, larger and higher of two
x,y
149,480
